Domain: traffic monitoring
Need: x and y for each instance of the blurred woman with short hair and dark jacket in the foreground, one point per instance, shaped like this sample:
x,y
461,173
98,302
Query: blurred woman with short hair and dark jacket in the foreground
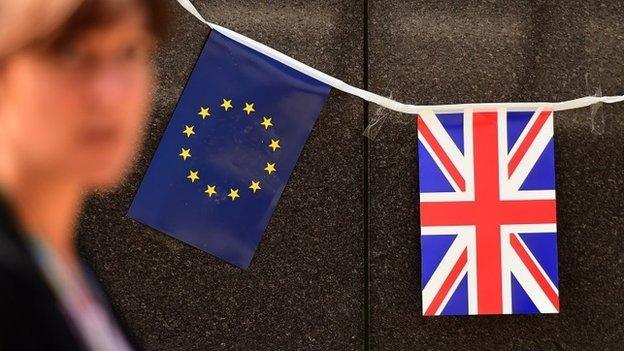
x,y
75,88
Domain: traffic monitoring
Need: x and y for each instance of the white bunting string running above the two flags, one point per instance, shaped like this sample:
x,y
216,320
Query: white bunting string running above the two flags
x,y
384,101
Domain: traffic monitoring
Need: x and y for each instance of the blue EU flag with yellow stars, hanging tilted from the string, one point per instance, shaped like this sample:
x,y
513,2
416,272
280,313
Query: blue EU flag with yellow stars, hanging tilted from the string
x,y
229,149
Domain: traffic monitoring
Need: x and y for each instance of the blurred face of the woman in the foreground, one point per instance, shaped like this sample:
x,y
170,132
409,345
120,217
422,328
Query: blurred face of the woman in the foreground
x,y
78,112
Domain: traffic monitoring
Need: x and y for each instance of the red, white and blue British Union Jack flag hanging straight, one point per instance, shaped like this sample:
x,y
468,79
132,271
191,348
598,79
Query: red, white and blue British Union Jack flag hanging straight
x,y
488,212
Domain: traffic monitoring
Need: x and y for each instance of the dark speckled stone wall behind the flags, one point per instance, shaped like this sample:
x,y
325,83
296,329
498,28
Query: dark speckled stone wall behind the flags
x,y
313,285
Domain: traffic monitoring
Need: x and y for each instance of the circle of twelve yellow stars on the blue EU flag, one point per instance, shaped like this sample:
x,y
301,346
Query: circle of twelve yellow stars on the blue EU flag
x,y
211,189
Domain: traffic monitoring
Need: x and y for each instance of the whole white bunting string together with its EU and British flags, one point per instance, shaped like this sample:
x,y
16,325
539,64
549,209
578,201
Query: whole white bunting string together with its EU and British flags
x,y
487,172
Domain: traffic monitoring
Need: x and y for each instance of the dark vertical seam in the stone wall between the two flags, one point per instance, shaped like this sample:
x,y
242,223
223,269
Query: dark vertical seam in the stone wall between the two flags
x,y
366,190
